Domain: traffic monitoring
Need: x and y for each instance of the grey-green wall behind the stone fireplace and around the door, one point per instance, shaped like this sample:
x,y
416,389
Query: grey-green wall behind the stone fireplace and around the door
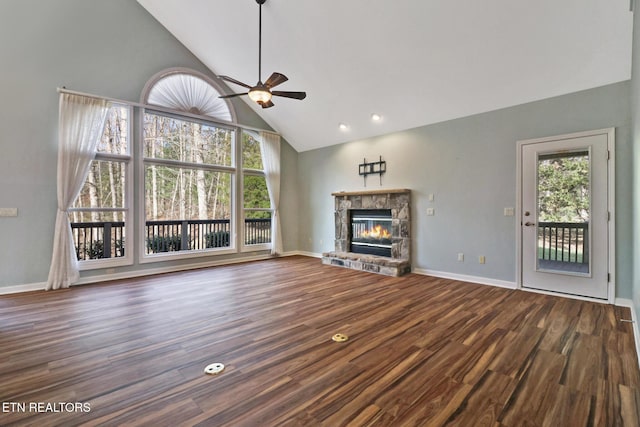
x,y
469,165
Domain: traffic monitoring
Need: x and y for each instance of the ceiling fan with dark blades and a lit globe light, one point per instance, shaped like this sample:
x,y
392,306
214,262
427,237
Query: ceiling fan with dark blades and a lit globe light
x,y
261,92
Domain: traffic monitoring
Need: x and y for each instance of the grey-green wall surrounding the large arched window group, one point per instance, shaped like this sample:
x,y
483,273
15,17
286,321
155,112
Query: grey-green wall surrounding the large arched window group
x,y
108,48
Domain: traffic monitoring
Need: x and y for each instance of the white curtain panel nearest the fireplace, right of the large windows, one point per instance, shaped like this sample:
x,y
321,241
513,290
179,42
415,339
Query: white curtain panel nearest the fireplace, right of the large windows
x,y
270,146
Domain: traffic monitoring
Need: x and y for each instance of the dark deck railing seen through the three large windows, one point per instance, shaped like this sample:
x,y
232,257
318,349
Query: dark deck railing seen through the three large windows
x,y
164,236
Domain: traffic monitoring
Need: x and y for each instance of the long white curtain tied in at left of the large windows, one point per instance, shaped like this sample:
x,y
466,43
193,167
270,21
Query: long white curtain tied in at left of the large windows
x,y
80,125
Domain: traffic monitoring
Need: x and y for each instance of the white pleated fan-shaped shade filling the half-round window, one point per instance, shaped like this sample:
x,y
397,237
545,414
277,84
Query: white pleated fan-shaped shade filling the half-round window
x,y
184,92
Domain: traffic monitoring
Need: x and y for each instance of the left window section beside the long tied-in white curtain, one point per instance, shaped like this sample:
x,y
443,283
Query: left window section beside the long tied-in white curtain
x,y
99,216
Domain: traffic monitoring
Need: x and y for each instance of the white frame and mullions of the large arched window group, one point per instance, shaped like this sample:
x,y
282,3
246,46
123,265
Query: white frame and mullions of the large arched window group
x,y
134,167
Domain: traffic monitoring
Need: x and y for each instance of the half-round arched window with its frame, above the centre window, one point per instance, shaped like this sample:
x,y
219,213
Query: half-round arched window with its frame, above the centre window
x,y
189,91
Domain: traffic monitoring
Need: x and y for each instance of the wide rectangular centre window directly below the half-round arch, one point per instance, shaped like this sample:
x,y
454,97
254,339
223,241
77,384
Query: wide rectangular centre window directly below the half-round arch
x,y
188,177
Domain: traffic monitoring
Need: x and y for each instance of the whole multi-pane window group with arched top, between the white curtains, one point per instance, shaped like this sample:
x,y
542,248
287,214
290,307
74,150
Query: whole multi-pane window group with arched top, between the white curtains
x,y
200,183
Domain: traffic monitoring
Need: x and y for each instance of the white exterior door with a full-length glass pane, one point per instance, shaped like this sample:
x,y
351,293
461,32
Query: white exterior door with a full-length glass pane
x,y
566,201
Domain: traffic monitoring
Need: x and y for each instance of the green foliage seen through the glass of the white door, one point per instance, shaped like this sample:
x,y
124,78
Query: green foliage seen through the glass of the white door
x,y
563,189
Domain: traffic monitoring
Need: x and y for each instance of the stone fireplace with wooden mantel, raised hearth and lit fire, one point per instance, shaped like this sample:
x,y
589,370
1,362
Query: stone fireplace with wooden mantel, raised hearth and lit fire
x,y
372,231
